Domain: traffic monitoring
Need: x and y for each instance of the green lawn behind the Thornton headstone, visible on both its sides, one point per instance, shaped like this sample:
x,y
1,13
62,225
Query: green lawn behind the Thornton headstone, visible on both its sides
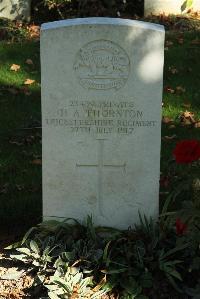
x,y
20,146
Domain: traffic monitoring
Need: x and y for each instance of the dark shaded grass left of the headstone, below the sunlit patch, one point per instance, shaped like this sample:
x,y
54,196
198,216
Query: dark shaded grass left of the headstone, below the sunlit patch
x,y
20,167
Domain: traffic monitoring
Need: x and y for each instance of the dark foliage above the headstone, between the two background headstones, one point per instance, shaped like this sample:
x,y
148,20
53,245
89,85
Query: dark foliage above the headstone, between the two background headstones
x,y
47,10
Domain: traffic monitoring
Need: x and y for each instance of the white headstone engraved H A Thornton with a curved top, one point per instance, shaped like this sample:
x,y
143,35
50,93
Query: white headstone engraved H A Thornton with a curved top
x,y
102,84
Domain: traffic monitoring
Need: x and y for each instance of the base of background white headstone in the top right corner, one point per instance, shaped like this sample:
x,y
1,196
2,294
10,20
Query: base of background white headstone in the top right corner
x,y
169,6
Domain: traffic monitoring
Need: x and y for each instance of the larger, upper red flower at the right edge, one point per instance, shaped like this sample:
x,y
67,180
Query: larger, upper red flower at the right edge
x,y
187,151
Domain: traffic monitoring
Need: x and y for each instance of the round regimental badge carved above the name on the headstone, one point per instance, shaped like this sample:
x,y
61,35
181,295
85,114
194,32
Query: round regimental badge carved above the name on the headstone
x,y
103,65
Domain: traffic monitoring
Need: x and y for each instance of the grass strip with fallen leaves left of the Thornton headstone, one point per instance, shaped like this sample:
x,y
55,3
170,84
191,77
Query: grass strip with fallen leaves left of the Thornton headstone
x,y
20,146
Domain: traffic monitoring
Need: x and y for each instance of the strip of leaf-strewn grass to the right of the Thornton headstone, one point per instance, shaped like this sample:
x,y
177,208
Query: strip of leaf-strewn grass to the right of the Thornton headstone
x,y
182,57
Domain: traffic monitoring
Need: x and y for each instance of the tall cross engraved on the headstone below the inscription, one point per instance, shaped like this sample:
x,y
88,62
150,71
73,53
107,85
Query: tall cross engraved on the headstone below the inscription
x,y
100,166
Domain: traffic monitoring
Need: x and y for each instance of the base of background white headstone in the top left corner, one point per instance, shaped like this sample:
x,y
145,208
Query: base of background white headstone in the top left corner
x,y
15,9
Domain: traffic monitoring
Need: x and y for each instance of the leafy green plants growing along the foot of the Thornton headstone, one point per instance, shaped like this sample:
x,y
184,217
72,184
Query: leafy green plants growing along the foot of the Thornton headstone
x,y
70,258
